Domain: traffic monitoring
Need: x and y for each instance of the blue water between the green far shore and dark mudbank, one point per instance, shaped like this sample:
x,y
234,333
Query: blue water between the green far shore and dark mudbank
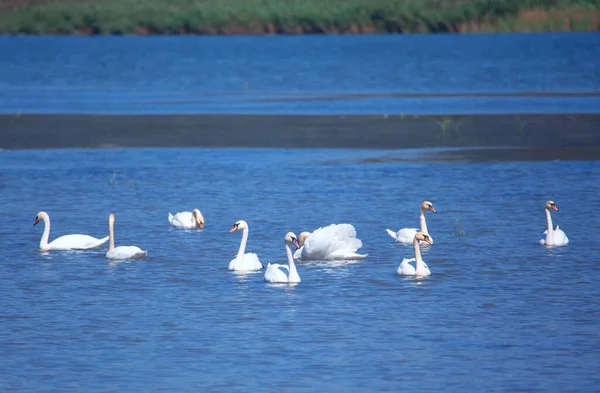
x,y
485,73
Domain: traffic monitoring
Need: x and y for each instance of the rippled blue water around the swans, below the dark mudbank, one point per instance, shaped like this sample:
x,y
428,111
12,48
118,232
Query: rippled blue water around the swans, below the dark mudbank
x,y
500,313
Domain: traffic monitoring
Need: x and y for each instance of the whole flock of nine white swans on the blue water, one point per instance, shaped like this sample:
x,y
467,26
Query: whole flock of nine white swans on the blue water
x,y
334,242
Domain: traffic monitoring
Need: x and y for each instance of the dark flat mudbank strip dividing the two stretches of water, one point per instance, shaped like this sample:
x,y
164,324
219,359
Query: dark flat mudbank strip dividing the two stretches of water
x,y
563,136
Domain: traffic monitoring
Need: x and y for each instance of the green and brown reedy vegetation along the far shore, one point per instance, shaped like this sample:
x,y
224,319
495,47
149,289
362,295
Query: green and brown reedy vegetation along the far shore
x,y
294,16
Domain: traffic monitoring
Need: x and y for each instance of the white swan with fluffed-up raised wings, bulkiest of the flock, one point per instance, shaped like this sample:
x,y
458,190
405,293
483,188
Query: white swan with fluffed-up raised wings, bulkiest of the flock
x,y
333,242
